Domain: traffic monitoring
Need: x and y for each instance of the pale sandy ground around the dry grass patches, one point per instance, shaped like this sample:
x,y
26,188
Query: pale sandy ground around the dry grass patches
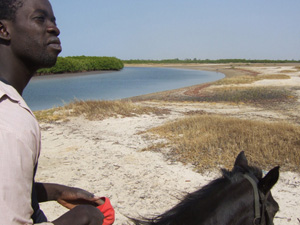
x,y
106,157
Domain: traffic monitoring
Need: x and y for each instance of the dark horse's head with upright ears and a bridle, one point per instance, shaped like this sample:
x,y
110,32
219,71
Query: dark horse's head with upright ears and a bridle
x,y
265,207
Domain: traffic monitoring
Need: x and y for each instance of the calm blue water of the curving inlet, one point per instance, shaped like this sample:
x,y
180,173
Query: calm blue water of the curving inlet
x,y
47,92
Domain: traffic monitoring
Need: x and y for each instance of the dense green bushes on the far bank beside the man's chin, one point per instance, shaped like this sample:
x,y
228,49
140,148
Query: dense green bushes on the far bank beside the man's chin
x,y
82,64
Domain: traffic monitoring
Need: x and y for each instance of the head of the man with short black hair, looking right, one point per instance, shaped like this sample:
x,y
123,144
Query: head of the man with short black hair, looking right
x,y
28,31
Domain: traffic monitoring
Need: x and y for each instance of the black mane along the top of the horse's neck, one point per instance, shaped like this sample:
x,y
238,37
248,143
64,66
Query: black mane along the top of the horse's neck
x,y
202,195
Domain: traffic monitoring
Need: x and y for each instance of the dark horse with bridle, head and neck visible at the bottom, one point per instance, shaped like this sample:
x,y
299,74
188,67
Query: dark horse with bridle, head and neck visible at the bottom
x,y
240,197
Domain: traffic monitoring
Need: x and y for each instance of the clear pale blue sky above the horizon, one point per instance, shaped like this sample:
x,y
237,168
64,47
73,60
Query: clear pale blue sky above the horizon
x,y
184,29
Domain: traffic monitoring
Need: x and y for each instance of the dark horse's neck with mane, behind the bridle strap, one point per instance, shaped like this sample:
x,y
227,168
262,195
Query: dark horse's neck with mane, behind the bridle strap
x,y
222,202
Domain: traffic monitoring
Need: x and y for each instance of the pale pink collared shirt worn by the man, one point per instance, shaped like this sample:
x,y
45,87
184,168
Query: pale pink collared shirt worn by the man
x,y
20,144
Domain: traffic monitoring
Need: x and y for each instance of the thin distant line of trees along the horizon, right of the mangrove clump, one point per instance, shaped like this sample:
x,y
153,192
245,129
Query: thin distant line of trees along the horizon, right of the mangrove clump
x,y
141,61
